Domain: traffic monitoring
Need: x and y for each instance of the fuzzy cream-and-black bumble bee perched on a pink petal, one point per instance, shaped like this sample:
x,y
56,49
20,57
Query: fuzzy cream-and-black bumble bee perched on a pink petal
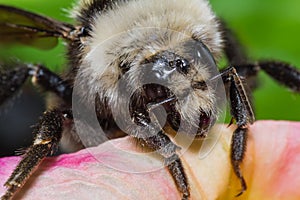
x,y
127,59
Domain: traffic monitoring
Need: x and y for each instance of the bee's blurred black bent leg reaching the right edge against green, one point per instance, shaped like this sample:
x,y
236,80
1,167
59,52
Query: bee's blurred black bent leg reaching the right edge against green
x,y
280,71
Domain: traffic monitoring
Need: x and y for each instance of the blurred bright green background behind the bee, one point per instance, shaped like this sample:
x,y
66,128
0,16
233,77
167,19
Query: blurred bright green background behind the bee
x,y
268,29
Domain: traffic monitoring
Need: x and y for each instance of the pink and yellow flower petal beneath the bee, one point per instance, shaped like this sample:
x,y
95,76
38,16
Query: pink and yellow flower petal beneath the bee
x,y
120,169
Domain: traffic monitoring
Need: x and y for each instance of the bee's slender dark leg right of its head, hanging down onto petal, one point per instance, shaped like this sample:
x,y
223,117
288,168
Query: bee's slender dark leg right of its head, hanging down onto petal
x,y
242,112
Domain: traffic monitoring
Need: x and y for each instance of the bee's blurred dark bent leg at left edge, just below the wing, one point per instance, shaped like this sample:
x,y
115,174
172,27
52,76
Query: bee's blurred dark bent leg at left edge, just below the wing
x,y
12,79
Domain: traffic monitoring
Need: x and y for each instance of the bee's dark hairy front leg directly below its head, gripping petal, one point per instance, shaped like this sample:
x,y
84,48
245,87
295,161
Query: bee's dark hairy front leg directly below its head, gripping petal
x,y
160,142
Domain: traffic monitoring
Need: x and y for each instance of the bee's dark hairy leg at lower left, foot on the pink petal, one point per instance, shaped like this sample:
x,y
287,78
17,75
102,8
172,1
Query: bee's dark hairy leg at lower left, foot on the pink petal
x,y
47,134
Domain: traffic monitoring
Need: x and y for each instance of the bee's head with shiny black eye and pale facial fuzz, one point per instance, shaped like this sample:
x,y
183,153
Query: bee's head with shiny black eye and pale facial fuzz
x,y
179,79
